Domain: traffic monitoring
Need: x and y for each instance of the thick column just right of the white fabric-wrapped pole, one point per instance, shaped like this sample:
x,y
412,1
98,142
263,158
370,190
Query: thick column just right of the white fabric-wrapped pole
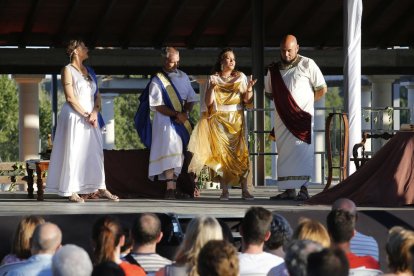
x,y
382,86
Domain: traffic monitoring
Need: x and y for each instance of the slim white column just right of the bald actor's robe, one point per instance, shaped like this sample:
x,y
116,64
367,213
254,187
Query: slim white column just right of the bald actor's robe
x,y
319,139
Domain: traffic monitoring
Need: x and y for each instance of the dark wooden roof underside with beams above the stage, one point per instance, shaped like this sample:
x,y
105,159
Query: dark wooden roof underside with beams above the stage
x,y
198,23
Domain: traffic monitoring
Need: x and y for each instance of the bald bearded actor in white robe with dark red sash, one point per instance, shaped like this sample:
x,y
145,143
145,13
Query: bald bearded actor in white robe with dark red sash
x,y
295,83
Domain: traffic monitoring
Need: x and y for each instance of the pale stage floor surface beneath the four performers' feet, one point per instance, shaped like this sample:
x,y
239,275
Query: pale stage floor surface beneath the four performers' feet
x,y
17,204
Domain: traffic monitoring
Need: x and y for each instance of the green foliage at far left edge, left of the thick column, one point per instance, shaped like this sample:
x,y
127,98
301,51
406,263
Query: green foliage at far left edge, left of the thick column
x,y
9,120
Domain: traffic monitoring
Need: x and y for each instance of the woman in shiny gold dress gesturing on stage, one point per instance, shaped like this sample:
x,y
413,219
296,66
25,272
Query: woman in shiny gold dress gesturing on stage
x,y
219,139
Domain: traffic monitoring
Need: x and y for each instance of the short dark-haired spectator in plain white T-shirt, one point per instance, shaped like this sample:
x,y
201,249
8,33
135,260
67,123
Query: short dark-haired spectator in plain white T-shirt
x,y
255,231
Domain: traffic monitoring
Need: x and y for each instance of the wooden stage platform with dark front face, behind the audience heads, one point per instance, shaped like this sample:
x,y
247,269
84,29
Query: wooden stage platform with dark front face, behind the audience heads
x,y
76,219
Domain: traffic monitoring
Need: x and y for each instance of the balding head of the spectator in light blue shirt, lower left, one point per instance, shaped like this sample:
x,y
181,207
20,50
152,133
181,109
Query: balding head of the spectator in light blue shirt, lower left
x,y
46,239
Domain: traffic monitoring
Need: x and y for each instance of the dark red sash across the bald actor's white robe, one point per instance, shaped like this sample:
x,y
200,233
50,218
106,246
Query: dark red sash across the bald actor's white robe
x,y
297,121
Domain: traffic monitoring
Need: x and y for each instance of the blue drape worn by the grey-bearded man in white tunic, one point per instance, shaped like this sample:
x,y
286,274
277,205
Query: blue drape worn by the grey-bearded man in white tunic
x,y
142,116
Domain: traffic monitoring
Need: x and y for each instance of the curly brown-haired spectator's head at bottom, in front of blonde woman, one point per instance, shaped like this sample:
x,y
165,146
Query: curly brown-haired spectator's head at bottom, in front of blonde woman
x,y
218,258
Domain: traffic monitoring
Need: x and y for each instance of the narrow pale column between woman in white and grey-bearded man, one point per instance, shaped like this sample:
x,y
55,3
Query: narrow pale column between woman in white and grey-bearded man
x,y
108,115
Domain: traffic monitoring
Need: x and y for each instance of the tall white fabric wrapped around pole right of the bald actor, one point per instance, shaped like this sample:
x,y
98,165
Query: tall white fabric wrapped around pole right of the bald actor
x,y
352,71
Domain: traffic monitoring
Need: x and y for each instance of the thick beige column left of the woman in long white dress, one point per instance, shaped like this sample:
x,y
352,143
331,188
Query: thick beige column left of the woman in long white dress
x,y
29,146
